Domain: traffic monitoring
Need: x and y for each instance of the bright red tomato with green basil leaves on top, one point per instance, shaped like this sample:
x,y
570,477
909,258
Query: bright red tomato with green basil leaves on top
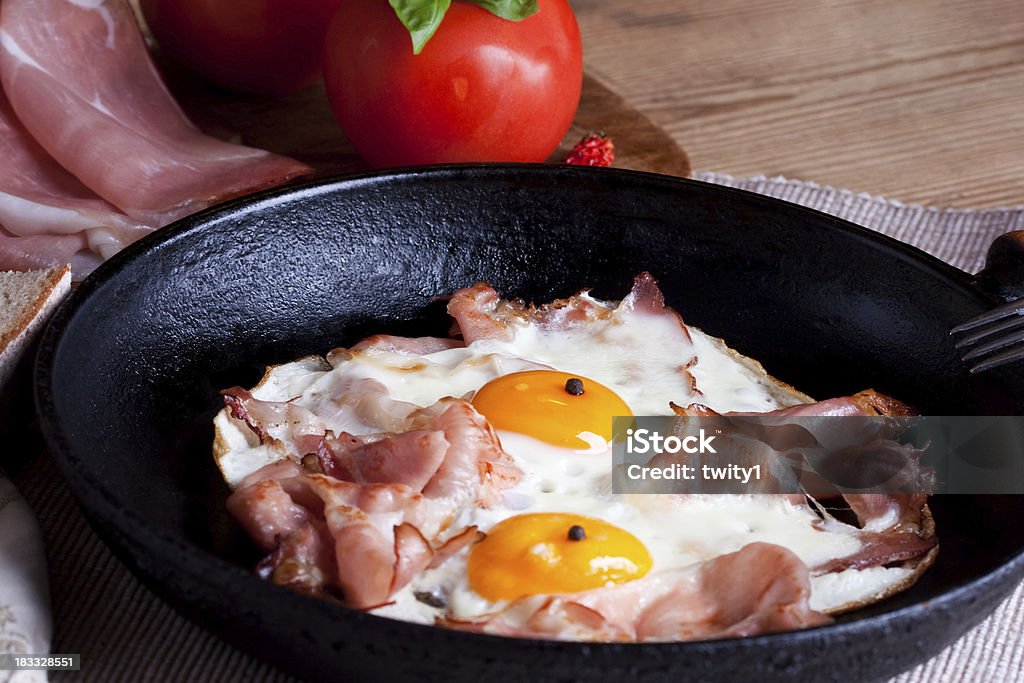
x,y
483,90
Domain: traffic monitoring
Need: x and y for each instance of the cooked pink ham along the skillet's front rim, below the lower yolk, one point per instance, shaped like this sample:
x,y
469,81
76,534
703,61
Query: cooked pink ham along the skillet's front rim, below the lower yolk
x,y
762,588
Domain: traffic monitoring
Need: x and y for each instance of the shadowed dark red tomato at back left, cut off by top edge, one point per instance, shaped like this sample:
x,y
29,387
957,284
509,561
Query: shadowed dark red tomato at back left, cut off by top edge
x,y
272,47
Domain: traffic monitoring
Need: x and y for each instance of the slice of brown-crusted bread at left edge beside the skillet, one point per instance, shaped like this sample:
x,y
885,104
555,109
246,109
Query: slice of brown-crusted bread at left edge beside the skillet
x,y
27,300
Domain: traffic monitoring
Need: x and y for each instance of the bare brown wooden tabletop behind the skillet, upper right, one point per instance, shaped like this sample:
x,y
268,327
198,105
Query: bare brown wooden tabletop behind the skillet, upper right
x,y
919,101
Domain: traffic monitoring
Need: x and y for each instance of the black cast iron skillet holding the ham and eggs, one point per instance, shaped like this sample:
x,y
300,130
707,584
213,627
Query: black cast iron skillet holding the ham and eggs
x,y
130,371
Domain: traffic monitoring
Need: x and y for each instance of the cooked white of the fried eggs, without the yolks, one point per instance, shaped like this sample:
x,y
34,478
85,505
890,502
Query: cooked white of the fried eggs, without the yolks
x,y
641,362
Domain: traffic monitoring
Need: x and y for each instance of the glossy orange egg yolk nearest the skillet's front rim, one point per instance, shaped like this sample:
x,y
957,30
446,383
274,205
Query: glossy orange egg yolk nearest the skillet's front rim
x,y
546,553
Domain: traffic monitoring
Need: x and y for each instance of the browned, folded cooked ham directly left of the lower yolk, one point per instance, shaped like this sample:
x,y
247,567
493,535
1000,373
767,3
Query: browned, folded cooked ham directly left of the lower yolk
x,y
377,536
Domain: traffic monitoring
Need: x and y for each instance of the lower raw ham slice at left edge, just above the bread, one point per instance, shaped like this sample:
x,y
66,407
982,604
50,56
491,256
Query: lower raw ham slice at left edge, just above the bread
x,y
39,198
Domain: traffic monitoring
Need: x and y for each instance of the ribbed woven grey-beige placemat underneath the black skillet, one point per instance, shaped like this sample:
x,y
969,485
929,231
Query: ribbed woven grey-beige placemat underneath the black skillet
x,y
125,634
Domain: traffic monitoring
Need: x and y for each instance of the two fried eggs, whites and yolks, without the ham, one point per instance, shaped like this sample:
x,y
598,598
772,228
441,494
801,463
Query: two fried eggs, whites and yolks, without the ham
x,y
551,396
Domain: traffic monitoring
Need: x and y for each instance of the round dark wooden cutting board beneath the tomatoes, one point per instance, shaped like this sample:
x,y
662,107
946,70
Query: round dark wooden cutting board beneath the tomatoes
x,y
302,126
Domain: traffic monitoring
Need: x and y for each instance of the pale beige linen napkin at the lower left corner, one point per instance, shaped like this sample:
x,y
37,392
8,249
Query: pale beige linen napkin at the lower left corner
x,y
25,602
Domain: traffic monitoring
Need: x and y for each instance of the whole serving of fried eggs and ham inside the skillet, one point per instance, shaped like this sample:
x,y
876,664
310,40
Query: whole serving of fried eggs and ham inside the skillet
x,y
376,477
